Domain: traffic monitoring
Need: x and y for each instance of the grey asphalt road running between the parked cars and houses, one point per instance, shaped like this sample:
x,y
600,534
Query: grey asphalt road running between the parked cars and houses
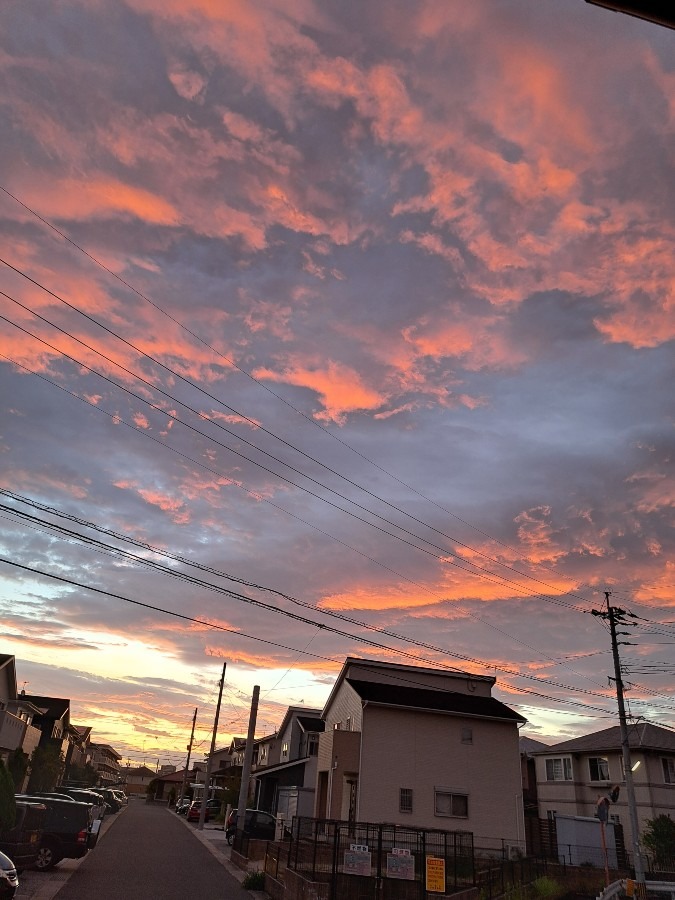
x,y
147,853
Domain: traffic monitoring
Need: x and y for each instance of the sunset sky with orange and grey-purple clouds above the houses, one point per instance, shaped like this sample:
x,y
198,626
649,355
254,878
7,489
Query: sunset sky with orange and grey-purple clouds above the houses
x,y
329,329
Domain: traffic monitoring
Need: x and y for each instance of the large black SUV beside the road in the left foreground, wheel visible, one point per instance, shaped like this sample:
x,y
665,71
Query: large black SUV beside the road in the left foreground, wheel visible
x,y
69,830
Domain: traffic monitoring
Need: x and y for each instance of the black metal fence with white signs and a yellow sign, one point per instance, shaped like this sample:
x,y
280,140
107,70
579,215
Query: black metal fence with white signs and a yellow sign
x,y
372,861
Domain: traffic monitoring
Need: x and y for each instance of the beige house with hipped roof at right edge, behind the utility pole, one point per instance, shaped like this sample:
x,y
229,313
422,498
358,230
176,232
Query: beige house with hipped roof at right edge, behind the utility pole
x,y
573,774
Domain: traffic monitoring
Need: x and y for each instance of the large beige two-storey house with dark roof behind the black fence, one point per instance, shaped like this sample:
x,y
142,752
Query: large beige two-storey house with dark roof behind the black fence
x,y
422,747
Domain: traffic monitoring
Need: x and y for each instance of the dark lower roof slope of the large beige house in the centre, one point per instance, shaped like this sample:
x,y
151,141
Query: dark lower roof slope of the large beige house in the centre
x,y
433,700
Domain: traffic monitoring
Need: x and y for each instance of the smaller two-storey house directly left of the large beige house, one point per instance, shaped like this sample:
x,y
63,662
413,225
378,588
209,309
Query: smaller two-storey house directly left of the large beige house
x,y
286,788
